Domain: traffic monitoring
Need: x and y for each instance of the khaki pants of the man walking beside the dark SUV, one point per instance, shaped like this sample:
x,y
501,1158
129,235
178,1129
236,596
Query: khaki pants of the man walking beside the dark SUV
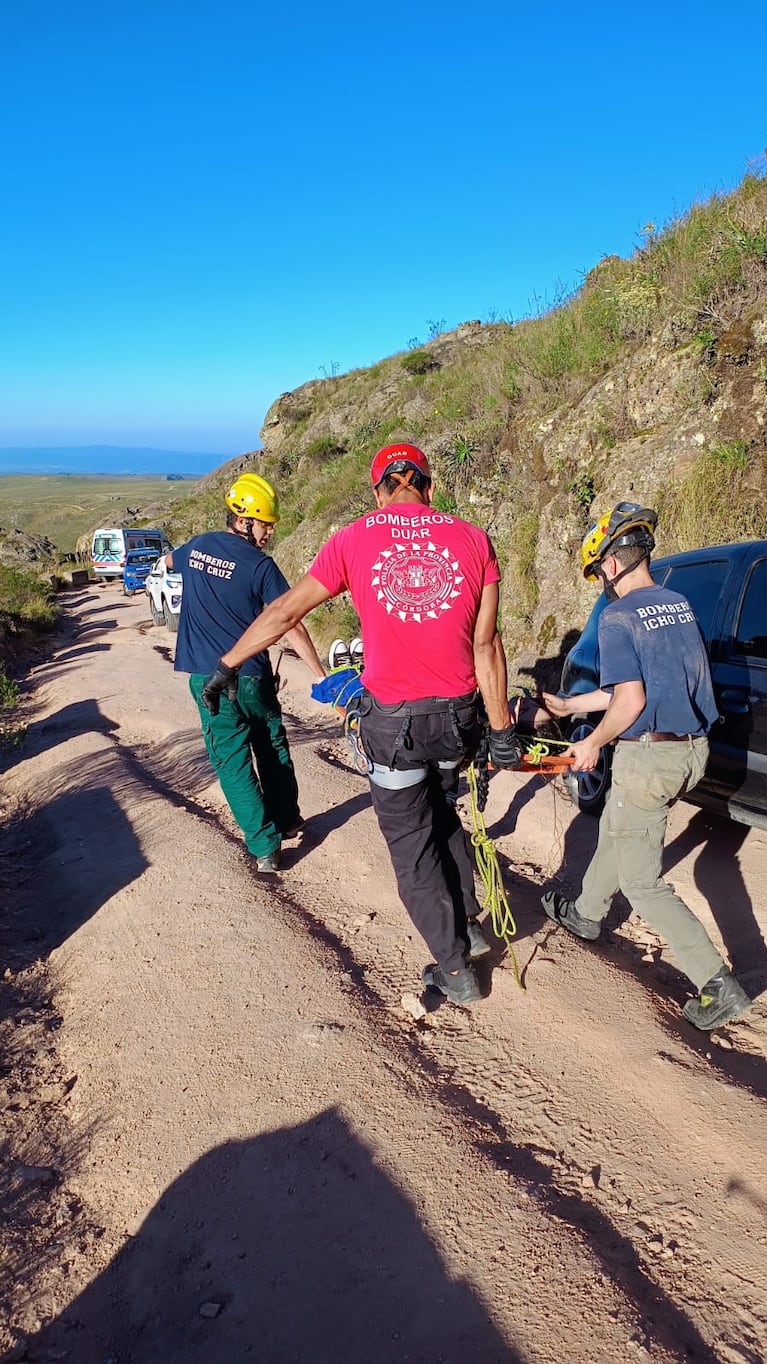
x,y
648,778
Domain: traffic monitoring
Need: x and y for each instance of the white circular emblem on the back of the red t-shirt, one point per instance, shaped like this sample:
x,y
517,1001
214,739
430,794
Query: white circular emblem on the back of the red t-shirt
x,y
417,582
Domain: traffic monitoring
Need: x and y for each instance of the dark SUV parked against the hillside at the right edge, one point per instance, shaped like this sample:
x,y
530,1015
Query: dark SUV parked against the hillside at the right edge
x,y
727,587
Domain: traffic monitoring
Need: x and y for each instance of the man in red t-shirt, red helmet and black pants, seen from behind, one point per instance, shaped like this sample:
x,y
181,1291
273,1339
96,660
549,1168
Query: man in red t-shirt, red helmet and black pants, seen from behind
x,y
425,586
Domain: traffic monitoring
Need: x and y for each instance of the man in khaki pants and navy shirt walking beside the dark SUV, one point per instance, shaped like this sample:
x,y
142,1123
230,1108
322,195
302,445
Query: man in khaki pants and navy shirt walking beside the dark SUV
x,y
656,691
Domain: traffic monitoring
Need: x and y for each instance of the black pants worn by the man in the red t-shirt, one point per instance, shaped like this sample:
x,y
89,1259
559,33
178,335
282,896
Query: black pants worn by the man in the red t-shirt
x,y
416,752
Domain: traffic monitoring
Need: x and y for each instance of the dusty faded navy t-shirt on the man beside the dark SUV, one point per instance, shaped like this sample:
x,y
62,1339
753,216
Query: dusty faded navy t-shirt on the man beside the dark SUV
x,y
652,636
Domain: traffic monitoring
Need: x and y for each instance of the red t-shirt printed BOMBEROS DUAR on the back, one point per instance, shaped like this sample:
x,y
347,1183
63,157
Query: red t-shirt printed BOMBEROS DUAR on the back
x,y
416,578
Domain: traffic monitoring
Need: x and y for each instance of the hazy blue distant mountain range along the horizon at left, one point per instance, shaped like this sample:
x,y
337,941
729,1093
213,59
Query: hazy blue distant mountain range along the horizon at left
x,y
108,460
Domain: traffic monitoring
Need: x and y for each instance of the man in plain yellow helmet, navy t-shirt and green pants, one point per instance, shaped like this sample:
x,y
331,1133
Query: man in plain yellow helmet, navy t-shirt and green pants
x,y
229,582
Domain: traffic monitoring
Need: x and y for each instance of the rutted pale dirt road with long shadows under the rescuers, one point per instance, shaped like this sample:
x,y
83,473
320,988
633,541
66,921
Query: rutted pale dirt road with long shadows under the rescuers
x,y
229,1140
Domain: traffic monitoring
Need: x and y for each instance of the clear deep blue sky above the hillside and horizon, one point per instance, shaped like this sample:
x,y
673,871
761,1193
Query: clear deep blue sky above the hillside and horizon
x,y
209,204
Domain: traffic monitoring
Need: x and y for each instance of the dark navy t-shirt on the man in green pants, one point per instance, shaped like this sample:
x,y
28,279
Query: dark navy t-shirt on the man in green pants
x,y
227,584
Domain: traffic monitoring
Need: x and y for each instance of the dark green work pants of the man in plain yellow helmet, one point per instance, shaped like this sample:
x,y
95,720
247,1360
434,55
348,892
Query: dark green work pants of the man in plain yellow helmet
x,y
263,799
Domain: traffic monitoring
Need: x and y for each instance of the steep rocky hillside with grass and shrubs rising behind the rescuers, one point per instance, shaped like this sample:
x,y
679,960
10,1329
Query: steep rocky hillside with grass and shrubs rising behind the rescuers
x,y
649,384
